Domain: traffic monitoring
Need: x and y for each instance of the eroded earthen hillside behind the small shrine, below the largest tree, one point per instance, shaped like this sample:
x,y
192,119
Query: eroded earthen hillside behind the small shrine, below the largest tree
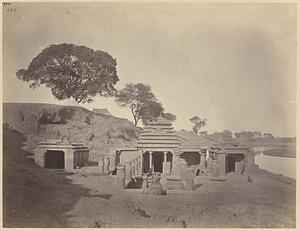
x,y
48,121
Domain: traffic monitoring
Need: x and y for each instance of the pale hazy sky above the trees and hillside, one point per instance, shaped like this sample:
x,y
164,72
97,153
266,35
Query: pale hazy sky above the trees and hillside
x,y
233,64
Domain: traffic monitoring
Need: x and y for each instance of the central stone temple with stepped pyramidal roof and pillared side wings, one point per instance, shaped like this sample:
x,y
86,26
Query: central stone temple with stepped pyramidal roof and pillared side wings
x,y
161,149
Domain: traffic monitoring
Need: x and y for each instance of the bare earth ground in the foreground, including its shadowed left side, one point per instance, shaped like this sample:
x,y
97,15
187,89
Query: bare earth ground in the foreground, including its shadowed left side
x,y
36,197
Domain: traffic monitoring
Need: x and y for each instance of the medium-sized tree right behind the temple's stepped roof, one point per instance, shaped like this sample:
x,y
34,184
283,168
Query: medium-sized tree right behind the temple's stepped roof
x,y
142,102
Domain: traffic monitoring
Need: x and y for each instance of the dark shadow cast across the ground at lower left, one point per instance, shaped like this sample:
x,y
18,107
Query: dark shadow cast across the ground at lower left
x,y
32,196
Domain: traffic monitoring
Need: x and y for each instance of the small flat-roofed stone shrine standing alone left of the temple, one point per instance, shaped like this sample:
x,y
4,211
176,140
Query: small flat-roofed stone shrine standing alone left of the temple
x,y
61,154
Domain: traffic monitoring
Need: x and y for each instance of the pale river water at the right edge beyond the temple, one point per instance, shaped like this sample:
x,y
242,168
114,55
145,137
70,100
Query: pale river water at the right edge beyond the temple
x,y
276,164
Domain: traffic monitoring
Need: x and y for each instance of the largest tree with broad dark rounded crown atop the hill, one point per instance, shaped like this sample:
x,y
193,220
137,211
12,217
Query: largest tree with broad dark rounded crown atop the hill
x,y
72,71
